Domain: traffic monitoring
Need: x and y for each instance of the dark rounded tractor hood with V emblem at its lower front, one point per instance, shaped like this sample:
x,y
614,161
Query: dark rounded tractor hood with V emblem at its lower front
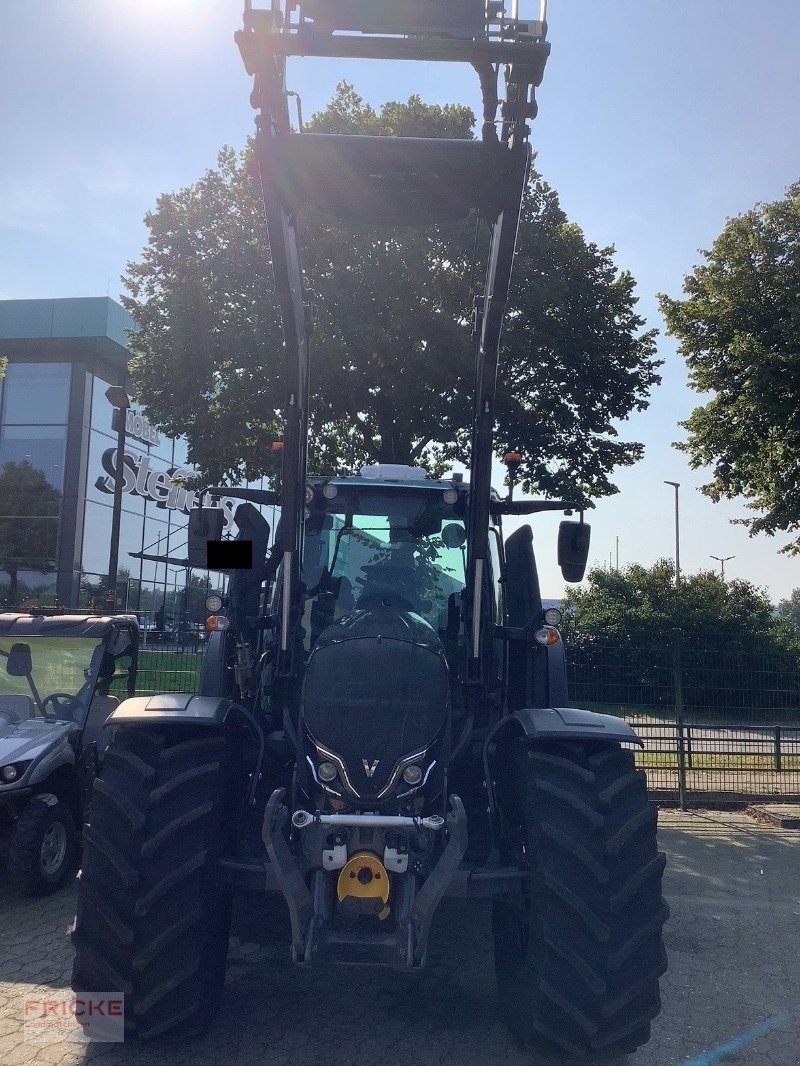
x,y
376,693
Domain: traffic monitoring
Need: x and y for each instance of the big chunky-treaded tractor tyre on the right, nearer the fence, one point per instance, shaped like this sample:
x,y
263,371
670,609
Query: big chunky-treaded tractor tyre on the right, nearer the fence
x,y
580,955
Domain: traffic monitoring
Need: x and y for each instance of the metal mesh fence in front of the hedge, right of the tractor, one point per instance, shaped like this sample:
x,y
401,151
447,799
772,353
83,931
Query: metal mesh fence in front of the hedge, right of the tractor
x,y
719,718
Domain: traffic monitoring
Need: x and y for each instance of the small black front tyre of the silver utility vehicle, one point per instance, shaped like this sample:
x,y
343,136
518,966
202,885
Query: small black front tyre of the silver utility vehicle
x,y
43,850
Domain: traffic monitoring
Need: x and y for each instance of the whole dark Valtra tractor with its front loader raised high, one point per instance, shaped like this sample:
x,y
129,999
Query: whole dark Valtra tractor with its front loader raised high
x,y
383,717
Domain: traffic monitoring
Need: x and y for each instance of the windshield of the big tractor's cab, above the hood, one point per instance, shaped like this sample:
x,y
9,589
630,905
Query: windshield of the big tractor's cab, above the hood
x,y
372,548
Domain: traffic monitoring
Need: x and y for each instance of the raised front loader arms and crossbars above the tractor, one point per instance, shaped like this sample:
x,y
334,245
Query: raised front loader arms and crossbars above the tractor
x,y
268,39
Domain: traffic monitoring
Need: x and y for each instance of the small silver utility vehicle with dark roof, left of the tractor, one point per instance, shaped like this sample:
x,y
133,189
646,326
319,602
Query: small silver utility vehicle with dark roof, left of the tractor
x,y
55,677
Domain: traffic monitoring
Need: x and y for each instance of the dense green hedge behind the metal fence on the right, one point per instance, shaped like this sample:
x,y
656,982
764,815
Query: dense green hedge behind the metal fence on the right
x,y
737,658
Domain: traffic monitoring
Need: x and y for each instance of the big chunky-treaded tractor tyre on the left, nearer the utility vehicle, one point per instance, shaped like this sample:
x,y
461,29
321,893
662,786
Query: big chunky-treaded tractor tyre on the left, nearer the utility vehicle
x,y
152,920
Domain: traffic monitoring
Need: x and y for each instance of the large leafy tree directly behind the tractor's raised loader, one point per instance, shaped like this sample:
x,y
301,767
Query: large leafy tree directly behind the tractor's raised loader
x,y
393,362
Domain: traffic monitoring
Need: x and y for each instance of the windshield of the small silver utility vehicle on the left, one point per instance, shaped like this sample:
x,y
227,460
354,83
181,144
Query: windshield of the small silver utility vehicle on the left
x,y
51,677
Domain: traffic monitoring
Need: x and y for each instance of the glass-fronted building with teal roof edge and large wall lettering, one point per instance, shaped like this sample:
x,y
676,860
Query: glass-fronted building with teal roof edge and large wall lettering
x,y
58,458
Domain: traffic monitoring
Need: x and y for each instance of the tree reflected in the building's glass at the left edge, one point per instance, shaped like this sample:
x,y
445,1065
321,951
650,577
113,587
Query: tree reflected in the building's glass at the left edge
x,y
29,523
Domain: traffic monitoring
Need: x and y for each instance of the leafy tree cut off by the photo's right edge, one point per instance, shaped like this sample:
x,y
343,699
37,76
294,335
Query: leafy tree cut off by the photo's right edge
x,y
740,331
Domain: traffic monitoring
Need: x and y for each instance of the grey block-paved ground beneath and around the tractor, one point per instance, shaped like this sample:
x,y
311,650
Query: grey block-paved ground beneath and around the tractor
x,y
734,981
